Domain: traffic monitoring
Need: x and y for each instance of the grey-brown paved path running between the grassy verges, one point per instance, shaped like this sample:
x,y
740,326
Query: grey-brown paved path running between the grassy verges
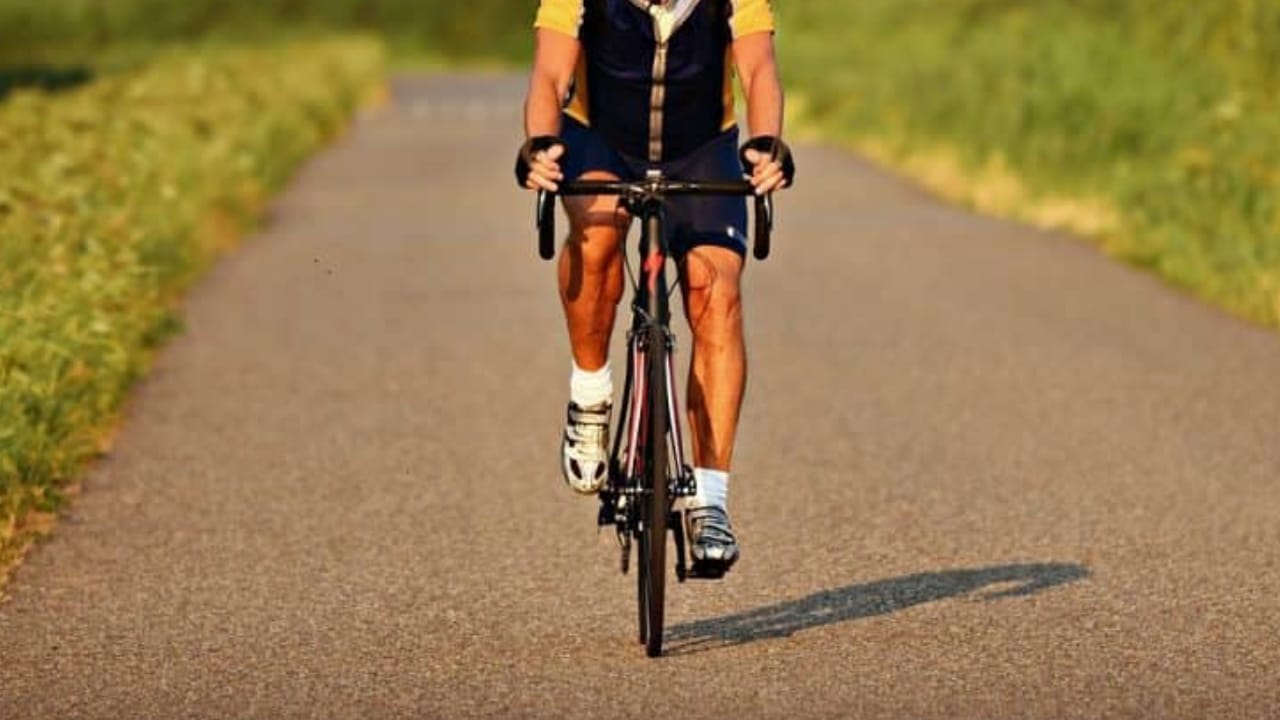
x,y
984,473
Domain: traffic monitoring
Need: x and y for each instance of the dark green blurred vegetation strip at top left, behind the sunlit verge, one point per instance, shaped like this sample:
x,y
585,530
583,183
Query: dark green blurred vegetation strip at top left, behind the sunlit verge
x,y
74,30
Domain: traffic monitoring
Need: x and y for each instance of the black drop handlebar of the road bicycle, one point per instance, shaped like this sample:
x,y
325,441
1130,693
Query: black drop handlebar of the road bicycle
x,y
653,190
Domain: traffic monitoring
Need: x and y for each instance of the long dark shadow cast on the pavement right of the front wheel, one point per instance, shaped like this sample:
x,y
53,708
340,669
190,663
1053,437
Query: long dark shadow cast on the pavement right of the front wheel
x,y
866,600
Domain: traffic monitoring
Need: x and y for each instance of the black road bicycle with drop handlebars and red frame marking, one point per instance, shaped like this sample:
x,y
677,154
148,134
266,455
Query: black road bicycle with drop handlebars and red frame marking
x,y
648,472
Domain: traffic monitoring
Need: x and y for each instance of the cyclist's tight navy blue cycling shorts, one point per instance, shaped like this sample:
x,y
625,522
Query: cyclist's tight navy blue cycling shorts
x,y
692,222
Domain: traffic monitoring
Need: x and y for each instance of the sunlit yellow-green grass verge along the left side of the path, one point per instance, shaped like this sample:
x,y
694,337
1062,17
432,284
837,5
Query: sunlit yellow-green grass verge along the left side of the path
x,y
112,199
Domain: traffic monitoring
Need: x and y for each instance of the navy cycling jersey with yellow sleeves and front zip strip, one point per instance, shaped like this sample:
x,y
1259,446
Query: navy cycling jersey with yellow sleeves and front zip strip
x,y
655,79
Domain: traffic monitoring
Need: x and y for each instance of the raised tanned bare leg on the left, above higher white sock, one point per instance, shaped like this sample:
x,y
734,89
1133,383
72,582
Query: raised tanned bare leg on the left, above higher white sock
x,y
591,275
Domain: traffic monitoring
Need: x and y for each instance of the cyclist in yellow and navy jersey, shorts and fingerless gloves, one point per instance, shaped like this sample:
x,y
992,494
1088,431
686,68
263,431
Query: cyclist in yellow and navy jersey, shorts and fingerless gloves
x,y
620,88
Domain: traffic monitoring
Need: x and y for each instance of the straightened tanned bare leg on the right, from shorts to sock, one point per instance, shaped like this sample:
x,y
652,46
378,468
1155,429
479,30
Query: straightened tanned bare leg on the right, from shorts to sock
x,y
717,373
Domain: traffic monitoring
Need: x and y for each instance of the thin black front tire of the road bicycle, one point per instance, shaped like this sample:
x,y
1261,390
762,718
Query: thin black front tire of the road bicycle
x,y
653,543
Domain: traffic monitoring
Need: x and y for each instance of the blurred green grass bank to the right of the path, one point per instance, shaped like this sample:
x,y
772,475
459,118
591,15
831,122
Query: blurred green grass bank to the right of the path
x,y
1164,110
